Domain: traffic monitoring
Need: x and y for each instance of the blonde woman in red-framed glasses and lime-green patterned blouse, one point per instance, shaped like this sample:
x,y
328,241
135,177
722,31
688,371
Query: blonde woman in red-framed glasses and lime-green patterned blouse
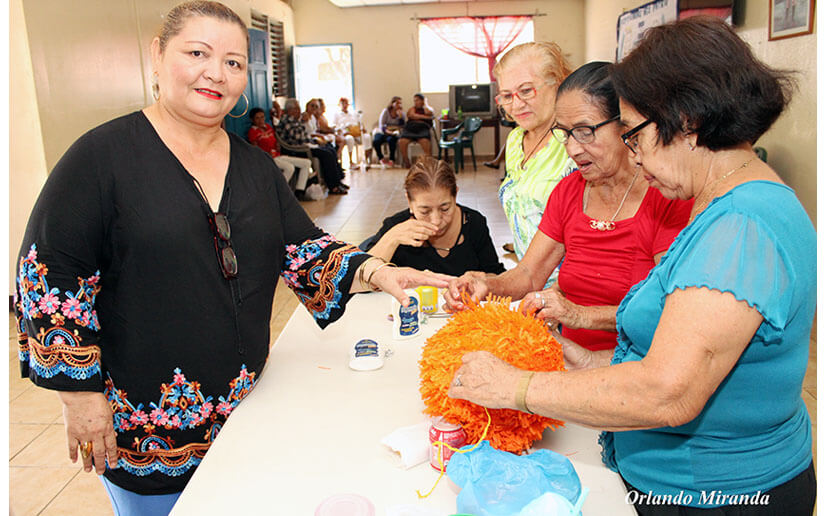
x,y
528,76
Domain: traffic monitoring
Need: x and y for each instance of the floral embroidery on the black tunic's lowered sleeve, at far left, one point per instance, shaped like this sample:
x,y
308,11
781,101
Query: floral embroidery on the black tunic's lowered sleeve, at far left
x,y
55,348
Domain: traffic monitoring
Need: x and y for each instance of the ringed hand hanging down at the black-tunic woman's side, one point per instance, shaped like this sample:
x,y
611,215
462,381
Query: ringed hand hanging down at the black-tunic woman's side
x,y
88,418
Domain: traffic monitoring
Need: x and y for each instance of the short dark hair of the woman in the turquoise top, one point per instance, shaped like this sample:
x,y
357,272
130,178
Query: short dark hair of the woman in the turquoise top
x,y
696,75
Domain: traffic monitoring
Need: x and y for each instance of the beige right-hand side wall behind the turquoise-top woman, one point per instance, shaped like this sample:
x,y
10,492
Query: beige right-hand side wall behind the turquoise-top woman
x,y
791,142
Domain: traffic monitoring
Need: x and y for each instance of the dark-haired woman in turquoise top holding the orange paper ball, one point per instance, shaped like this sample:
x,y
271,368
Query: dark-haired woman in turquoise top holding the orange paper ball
x,y
703,394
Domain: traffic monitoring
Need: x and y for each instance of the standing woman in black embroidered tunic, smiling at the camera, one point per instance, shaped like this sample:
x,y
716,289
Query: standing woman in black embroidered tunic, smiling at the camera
x,y
148,267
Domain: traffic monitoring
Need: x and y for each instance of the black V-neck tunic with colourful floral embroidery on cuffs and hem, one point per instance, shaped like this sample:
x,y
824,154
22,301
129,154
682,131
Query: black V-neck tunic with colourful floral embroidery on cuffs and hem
x,y
120,291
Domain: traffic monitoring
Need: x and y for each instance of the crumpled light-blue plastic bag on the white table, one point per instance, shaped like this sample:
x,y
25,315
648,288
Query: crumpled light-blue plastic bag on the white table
x,y
498,483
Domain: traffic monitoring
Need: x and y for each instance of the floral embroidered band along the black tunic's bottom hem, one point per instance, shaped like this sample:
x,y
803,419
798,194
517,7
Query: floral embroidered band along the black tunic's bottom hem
x,y
181,406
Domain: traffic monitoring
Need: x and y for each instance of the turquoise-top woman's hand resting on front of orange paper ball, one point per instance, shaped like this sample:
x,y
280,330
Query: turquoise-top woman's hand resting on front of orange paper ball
x,y
486,380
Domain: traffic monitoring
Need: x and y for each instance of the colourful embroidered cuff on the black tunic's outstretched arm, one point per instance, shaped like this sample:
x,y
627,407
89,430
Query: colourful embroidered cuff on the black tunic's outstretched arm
x,y
315,280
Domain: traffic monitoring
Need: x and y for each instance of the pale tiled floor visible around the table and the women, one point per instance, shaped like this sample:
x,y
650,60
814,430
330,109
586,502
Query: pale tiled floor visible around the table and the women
x,y
43,481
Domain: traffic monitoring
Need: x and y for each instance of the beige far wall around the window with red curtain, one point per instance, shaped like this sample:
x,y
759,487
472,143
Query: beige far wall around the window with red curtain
x,y
385,49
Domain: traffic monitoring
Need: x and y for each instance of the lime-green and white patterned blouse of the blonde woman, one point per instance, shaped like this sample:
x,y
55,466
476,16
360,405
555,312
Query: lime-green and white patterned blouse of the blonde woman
x,y
525,190
